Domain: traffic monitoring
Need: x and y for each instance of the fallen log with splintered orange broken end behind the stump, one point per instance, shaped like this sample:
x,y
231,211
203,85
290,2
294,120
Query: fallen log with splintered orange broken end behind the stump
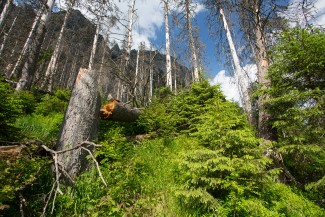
x,y
118,111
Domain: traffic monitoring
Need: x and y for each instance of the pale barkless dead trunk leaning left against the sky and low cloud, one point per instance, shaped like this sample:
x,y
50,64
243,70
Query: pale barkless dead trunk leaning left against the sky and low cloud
x,y
239,75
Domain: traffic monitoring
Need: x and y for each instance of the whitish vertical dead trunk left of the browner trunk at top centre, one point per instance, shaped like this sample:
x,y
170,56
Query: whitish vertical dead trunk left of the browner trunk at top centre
x,y
169,82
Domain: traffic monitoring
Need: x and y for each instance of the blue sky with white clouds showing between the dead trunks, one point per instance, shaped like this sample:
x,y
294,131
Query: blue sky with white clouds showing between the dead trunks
x,y
149,28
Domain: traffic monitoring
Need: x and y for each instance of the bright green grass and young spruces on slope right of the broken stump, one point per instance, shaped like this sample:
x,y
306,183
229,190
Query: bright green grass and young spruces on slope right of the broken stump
x,y
198,157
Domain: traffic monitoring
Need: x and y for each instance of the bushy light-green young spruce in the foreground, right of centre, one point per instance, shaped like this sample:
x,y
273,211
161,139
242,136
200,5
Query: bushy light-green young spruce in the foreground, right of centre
x,y
228,165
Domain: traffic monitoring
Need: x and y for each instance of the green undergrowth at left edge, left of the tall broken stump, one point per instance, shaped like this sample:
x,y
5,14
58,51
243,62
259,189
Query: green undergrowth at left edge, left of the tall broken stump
x,y
30,119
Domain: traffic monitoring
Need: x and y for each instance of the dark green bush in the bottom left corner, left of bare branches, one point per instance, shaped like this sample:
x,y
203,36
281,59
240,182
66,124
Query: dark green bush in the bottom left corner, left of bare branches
x,y
28,177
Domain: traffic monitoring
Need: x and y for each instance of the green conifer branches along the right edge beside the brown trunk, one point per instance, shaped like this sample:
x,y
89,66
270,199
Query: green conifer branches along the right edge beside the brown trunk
x,y
297,103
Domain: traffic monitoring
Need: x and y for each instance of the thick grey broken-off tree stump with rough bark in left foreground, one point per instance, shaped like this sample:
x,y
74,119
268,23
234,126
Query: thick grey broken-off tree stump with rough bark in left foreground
x,y
80,121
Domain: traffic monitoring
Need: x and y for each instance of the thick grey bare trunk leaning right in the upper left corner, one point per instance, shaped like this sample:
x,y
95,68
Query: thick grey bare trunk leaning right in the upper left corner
x,y
28,70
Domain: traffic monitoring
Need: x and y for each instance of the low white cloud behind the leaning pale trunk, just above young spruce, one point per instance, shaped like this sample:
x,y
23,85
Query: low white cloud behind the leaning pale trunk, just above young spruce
x,y
228,83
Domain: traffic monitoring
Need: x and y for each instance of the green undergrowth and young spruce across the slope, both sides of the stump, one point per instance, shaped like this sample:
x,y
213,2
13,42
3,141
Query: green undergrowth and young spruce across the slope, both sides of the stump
x,y
190,154
